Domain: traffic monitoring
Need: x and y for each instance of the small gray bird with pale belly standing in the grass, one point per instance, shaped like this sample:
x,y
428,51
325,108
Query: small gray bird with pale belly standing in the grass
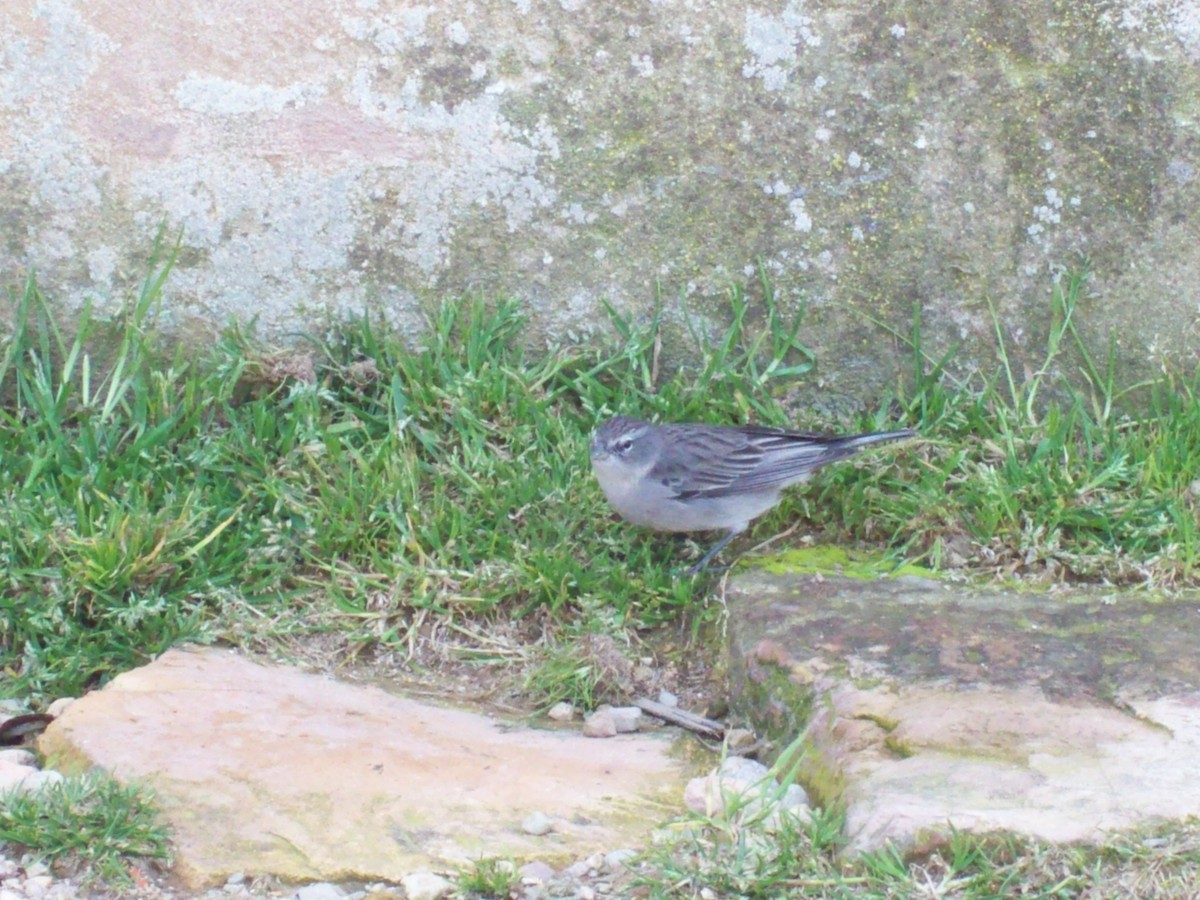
x,y
700,478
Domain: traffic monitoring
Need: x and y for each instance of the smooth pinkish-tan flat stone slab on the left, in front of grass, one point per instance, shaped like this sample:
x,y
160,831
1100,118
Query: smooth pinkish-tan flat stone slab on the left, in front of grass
x,y
265,770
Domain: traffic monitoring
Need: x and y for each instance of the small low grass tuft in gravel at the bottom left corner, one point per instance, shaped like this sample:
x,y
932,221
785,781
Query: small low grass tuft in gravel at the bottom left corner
x,y
89,820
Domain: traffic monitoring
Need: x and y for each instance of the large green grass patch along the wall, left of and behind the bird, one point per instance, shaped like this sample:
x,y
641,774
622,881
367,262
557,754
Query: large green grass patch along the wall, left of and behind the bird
x,y
154,500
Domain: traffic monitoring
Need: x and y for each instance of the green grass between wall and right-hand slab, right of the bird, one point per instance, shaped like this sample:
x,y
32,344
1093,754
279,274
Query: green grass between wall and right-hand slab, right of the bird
x,y
1046,469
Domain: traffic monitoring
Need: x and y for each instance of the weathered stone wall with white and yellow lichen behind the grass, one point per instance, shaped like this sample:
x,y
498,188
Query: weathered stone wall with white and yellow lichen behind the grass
x,y
323,158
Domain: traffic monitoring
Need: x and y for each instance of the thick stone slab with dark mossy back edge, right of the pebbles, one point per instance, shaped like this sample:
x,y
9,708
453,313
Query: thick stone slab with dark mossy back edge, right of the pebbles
x,y
1059,716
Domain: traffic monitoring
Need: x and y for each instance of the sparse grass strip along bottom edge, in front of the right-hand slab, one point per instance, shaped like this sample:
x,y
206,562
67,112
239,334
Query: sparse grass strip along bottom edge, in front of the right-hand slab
x,y
729,859
